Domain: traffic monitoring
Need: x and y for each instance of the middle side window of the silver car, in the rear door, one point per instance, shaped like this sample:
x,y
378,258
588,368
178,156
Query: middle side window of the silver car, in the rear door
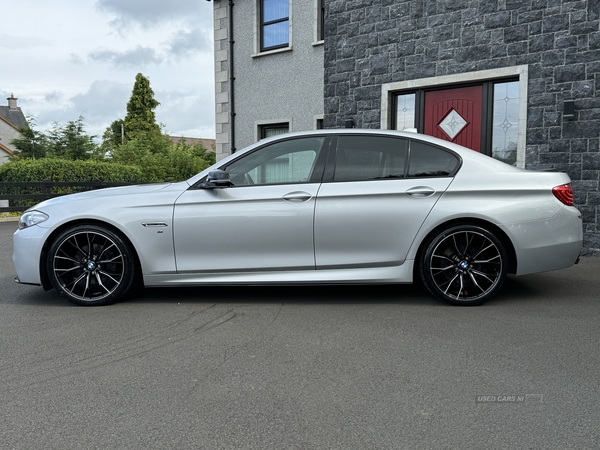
x,y
361,158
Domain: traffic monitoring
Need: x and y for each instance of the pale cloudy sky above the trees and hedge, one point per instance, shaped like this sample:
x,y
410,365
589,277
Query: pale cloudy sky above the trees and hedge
x,y
67,58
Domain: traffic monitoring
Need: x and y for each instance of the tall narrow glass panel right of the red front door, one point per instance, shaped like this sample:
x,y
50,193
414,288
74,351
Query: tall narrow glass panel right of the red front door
x,y
506,121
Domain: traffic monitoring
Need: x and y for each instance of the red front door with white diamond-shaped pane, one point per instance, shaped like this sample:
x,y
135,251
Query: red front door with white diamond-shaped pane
x,y
455,115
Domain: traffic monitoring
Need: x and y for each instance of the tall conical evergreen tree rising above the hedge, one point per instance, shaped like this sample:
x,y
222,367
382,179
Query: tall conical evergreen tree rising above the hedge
x,y
140,117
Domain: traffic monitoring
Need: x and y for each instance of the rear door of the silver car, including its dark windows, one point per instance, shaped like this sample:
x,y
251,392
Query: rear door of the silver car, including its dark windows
x,y
381,191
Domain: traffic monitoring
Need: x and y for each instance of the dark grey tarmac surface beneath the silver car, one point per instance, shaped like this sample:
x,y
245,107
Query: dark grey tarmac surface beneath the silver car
x,y
302,368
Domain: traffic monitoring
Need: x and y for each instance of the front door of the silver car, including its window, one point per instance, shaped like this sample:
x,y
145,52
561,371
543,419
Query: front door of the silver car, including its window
x,y
263,222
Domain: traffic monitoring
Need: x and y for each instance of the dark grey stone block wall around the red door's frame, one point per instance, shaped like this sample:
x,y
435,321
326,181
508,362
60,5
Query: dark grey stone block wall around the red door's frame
x,y
369,43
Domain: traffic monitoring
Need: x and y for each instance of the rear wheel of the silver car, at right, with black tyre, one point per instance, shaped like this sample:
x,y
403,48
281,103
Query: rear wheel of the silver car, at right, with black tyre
x,y
463,265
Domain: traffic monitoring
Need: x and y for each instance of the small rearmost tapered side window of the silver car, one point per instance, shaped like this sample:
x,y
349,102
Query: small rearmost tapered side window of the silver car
x,y
429,161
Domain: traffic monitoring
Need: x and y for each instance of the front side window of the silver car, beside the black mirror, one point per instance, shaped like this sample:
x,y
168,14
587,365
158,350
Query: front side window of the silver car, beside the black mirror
x,y
290,161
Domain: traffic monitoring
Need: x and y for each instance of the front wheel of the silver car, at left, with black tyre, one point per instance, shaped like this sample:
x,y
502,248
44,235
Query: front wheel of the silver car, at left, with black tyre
x,y
91,265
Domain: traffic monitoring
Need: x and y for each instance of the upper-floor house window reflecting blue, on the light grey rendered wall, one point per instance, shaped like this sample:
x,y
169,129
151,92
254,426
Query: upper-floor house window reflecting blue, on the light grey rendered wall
x,y
274,24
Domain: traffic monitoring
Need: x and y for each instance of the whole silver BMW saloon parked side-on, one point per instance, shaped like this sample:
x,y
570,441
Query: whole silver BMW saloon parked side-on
x,y
326,206
